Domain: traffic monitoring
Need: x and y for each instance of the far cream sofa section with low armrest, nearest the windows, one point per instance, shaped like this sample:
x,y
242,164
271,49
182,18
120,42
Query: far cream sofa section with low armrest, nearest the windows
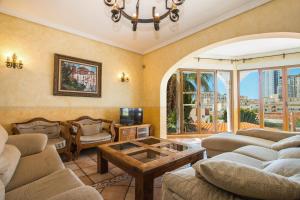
x,y
227,142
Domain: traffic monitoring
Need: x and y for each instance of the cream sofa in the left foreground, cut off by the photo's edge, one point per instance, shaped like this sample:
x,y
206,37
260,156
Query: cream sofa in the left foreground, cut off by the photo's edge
x,y
32,170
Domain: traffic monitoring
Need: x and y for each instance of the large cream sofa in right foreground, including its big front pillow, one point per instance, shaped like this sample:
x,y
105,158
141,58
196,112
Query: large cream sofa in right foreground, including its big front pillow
x,y
250,172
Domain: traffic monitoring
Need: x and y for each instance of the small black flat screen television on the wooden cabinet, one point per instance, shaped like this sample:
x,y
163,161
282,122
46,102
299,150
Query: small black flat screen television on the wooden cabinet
x,y
131,116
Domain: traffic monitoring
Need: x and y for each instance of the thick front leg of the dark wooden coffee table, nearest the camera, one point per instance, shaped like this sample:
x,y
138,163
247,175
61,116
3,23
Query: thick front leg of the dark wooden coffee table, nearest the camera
x,y
143,188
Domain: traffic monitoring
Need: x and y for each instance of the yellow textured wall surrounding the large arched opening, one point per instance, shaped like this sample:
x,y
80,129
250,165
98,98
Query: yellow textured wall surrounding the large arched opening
x,y
276,16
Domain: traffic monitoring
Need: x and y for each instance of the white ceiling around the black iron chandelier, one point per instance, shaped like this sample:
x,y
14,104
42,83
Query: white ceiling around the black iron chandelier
x,y
91,19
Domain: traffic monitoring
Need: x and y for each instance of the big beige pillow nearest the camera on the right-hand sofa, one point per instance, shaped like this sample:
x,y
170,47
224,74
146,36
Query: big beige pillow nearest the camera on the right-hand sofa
x,y
248,181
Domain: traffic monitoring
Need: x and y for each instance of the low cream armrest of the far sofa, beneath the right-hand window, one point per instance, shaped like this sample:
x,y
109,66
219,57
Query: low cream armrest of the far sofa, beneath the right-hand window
x,y
266,134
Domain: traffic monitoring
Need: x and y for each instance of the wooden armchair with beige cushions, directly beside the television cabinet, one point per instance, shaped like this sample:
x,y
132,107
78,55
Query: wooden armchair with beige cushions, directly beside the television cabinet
x,y
88,132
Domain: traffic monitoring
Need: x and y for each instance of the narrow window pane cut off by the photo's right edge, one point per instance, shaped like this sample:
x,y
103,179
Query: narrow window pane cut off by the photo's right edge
x,y
293,101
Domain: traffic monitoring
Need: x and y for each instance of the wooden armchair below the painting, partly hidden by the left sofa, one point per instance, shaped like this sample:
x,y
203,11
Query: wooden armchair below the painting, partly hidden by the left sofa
x,y
58,133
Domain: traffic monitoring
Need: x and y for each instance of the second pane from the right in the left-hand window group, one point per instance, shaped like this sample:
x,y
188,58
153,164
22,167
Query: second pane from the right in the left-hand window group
x,y
207,101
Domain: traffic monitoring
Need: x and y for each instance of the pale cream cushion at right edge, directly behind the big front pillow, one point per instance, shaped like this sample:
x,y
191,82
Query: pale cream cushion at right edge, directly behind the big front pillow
x,y
284,167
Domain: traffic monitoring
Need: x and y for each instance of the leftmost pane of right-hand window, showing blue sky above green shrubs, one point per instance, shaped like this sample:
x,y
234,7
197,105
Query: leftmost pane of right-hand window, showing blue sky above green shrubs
x,y
249,99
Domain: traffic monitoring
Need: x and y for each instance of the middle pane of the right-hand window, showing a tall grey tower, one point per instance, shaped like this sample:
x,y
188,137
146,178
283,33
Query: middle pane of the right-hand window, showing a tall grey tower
x,y
272,97
